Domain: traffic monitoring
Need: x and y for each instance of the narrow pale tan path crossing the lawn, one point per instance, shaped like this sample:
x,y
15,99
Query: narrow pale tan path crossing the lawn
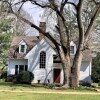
x,y
50,92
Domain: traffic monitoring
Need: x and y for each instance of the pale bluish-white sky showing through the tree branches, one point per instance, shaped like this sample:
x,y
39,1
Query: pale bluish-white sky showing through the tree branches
x,y
37,12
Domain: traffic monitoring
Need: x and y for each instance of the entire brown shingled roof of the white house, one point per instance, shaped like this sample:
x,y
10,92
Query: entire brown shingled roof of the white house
x,y
31,41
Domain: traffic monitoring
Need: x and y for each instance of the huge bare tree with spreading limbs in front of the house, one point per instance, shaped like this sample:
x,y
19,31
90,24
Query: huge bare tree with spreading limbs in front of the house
x,y
63,48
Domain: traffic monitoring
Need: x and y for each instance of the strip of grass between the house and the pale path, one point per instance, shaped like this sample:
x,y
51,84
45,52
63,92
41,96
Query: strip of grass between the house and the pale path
x,y
23,87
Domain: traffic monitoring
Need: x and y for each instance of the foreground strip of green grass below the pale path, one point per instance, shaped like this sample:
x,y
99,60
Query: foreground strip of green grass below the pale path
x,y
26,96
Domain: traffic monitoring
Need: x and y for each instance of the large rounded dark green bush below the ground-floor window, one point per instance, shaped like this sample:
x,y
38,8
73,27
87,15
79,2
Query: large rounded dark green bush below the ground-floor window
x,y
24,77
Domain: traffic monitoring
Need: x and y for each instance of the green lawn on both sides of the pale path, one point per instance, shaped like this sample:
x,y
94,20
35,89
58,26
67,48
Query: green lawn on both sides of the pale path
x,y
43,96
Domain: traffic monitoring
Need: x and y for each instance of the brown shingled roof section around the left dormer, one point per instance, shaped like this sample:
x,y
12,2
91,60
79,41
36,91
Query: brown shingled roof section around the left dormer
x,y
29,40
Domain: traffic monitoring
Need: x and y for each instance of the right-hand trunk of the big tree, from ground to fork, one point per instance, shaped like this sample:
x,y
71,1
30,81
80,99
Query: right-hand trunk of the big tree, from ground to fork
x,y
75,70
